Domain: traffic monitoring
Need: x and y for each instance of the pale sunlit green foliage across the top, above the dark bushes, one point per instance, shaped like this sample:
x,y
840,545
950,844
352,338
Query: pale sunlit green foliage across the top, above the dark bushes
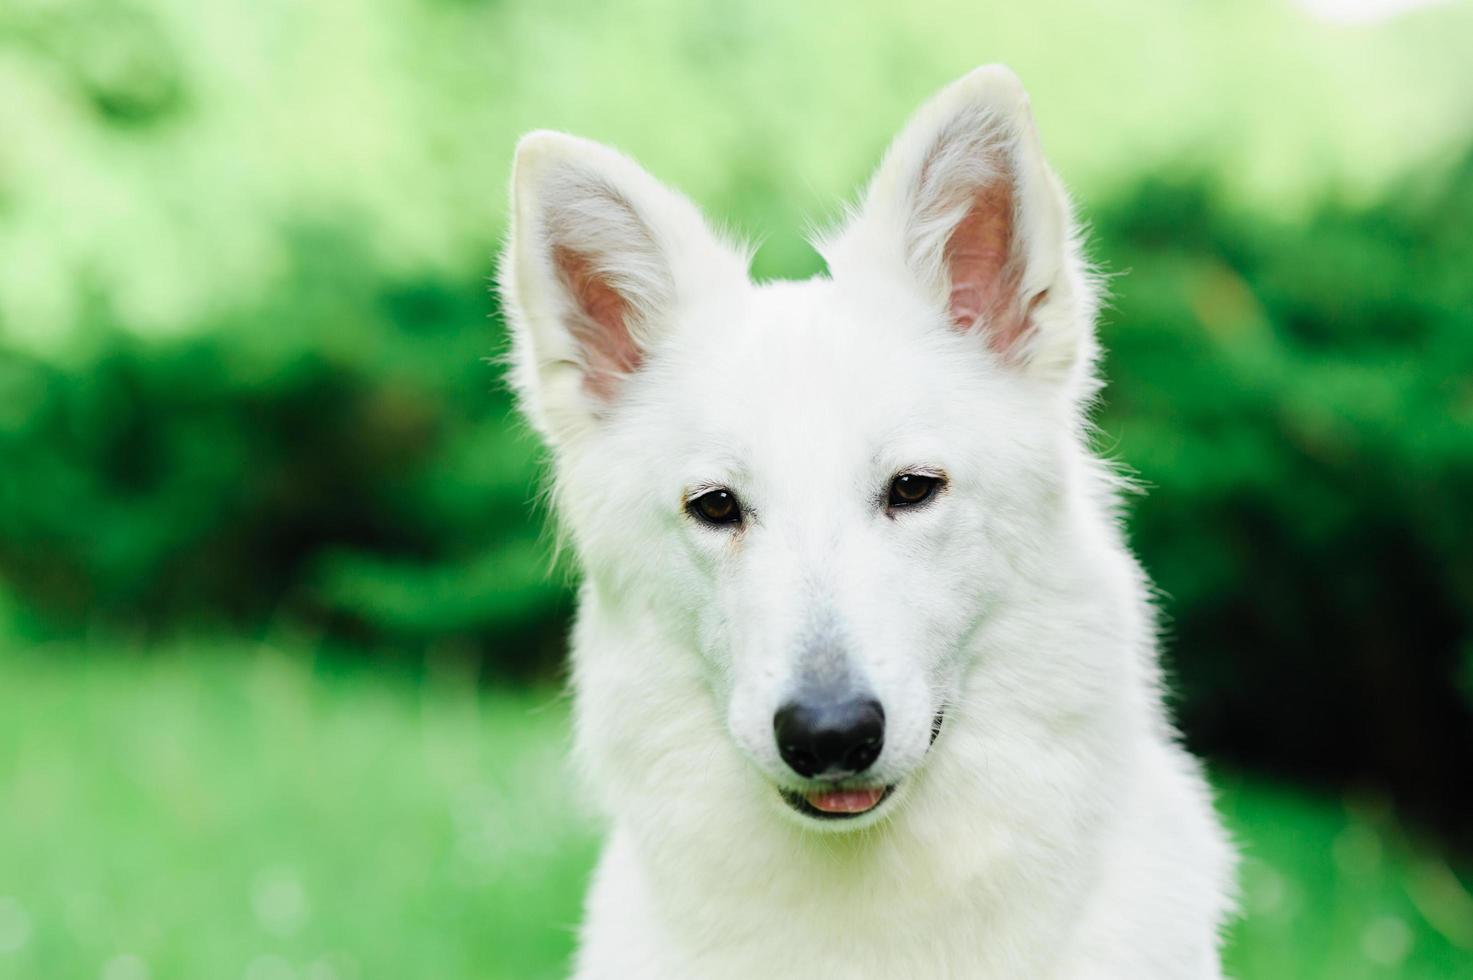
x,y
154,151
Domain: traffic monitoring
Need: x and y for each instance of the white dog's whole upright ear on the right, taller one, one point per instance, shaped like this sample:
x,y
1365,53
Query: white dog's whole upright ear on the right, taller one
x,y
966,209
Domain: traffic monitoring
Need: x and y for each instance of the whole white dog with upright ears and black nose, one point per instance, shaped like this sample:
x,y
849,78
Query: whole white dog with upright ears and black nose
x,y
865,676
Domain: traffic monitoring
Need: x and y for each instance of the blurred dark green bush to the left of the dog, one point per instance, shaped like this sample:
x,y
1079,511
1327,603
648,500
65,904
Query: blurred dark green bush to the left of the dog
x,y
342,458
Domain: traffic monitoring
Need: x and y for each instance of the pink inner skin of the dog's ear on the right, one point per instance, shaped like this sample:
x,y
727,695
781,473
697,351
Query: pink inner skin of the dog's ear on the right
x,y
985,269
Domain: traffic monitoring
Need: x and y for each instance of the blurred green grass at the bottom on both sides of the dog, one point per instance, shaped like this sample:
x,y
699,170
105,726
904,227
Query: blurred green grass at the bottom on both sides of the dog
x,y
269,813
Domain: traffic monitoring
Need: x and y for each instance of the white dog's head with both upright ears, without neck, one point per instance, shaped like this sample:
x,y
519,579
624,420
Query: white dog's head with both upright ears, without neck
x,y
818,489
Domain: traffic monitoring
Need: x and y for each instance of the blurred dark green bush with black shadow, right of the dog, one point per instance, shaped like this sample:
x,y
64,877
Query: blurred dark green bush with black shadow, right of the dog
x,y
1298,399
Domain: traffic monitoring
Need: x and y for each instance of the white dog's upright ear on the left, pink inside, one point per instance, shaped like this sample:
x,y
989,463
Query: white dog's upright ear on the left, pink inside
x,y
602,262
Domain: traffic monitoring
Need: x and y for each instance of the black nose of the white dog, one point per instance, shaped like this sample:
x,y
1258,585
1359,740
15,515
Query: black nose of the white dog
x,y
830,738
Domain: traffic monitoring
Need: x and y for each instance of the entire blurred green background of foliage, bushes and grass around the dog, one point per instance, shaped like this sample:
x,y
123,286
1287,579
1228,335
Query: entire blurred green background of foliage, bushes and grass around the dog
x,y
281,630
